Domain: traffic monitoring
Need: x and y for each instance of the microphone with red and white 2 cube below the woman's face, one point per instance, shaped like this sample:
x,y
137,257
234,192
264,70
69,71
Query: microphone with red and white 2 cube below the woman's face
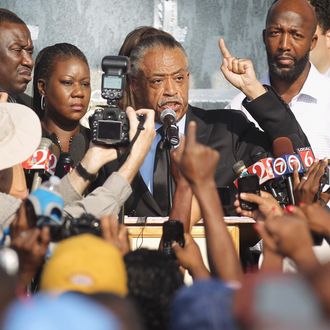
x,y
43,162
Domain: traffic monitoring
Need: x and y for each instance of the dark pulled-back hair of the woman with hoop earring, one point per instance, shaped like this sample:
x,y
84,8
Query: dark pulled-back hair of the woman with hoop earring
x,y
44,67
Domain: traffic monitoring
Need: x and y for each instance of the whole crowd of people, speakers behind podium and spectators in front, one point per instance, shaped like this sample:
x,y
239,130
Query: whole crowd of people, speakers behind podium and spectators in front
x,y
88,277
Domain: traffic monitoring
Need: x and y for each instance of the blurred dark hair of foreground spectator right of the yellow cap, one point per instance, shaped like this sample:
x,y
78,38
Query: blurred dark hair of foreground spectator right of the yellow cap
x,y
153,278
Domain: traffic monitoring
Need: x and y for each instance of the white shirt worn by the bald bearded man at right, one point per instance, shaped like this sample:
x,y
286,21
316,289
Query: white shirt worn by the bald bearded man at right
x,y
311,107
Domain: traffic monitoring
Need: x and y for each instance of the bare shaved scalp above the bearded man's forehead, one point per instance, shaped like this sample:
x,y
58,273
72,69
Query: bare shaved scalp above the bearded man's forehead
x,y
293,8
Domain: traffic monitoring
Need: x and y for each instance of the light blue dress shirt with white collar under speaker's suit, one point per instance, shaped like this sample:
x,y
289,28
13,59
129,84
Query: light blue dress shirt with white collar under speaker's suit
x,y
147,168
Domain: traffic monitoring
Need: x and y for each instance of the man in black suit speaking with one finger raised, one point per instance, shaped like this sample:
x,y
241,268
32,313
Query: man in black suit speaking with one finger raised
x,y
159,79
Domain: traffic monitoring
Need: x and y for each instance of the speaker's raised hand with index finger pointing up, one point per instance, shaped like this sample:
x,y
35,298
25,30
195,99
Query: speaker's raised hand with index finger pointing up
x,y
240,73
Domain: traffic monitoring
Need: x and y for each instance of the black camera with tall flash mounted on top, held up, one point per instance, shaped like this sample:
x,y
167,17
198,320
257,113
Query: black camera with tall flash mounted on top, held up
x,y
109,125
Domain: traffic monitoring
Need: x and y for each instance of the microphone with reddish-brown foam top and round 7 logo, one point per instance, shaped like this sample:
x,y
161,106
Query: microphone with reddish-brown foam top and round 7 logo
x,y
283,164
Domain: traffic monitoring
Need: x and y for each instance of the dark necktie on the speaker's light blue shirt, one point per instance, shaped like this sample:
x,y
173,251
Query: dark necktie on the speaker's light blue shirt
x,y
160,186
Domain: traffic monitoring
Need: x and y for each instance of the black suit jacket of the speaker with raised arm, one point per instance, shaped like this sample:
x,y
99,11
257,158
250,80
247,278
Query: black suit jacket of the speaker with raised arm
x,y
229,132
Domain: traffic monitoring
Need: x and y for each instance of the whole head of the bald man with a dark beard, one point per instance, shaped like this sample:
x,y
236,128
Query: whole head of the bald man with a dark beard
x,y
289,37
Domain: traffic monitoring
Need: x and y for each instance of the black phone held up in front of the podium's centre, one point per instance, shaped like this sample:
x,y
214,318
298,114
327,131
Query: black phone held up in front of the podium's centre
x,y
172,232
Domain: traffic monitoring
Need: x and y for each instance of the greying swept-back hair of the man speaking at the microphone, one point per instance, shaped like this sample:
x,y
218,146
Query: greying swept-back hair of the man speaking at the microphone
x,y
150,42
